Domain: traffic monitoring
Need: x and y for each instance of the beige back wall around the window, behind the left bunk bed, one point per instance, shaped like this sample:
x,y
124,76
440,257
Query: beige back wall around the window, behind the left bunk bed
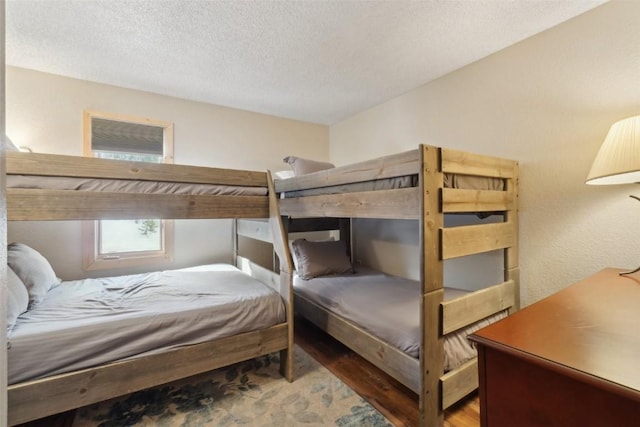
x,y
44,112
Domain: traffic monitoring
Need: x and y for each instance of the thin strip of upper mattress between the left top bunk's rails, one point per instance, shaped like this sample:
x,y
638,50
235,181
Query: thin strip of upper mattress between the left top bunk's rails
x,y
129,186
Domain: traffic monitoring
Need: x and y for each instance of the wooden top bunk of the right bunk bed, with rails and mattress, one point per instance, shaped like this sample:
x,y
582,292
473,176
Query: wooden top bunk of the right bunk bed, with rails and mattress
x,y
393,186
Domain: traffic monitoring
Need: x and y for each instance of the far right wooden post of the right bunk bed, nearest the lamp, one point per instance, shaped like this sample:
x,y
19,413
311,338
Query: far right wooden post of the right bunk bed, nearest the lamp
x,y
511,264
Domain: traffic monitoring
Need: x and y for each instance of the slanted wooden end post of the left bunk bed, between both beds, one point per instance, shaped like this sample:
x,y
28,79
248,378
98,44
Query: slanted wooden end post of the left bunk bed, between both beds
x,y
281,248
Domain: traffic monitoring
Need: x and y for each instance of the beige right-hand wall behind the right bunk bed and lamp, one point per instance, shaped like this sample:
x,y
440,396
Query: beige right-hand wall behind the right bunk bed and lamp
x,y
547,102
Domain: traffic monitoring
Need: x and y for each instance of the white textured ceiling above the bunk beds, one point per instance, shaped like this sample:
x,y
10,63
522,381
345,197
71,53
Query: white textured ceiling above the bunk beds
x,y
317,61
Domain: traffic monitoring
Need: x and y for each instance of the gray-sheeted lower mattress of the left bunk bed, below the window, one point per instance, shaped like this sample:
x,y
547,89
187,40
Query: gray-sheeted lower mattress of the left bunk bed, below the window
x,y
84,323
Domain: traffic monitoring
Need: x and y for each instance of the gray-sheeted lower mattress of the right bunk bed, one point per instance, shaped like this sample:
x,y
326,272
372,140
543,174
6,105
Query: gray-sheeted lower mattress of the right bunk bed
x,y
388,307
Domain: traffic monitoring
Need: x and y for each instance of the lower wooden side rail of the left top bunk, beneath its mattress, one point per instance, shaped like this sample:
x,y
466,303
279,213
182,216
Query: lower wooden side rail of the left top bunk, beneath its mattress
x,y
28,204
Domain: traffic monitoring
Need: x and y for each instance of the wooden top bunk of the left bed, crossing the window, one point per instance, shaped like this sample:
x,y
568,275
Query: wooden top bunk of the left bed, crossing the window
x,y
60,187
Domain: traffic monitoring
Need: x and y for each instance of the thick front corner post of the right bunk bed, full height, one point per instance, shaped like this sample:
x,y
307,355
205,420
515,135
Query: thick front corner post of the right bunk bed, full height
x,y
431,277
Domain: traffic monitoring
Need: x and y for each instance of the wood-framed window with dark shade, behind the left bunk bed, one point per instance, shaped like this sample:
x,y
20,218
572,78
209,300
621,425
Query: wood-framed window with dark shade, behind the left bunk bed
x,y
127,243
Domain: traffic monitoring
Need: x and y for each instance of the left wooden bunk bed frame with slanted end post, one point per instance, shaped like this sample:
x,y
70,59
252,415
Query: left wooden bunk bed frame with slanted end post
x,y
37,189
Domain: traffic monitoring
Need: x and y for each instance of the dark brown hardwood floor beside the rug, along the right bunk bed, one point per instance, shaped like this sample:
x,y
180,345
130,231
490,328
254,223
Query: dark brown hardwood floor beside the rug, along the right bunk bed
x,y
392,399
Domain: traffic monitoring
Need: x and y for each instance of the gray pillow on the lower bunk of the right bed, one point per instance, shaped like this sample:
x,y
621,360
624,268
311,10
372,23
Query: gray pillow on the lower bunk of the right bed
x,y
321,258
